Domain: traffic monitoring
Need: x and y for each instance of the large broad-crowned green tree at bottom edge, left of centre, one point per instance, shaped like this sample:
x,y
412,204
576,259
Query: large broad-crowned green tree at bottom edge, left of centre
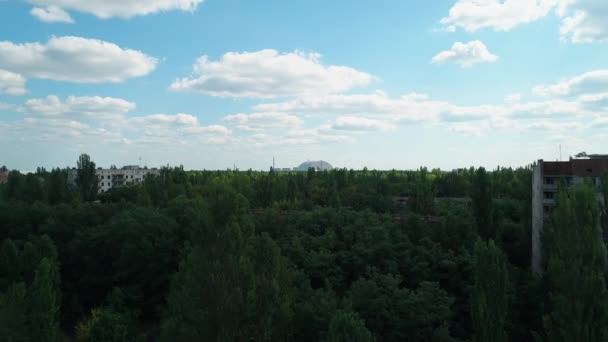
x,y
230,287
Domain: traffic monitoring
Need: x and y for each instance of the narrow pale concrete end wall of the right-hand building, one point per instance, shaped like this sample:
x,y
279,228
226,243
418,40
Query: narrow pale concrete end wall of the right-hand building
x,y
537,217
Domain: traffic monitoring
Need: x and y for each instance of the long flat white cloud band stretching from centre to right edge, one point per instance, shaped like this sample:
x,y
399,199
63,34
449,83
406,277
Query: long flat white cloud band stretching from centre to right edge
x,y
360,113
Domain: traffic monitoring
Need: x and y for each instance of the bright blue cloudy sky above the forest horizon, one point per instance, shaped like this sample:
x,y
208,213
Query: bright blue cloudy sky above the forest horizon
x,y
383,84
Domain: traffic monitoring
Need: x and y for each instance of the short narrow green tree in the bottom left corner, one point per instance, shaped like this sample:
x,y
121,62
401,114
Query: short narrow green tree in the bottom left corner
x,y
13,321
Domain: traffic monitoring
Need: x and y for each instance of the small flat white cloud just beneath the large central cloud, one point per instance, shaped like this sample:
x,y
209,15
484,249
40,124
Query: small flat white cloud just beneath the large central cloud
x,y
264,121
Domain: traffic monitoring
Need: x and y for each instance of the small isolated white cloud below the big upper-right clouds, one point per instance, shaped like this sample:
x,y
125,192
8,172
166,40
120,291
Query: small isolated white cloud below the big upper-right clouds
x,y
465,54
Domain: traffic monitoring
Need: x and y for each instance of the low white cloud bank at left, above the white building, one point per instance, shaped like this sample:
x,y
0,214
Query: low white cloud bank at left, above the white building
x,y
80,118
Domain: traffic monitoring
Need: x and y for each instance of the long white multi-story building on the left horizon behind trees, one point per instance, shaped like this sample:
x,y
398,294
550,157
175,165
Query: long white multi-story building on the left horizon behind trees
x,y
115,177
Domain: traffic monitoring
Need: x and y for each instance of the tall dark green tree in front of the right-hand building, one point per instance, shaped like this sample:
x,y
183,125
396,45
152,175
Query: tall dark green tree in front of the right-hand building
x,y
576,265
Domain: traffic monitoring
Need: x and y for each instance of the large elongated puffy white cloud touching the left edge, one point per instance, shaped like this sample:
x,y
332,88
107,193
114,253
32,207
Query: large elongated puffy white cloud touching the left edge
x,y
75,59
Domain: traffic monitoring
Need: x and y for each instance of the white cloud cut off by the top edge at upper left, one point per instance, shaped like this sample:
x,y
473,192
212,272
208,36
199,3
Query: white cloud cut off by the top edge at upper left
x,y
105,9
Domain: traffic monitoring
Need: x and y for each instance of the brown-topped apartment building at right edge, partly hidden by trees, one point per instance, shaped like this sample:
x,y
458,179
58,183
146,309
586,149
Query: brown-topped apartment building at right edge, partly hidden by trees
x,y
546,178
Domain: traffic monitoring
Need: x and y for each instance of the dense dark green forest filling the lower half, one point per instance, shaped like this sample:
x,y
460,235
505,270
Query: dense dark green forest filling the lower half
x,y
342,255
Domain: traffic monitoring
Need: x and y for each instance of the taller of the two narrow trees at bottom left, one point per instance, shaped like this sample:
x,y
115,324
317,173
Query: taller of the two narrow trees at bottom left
x,y
44,300
